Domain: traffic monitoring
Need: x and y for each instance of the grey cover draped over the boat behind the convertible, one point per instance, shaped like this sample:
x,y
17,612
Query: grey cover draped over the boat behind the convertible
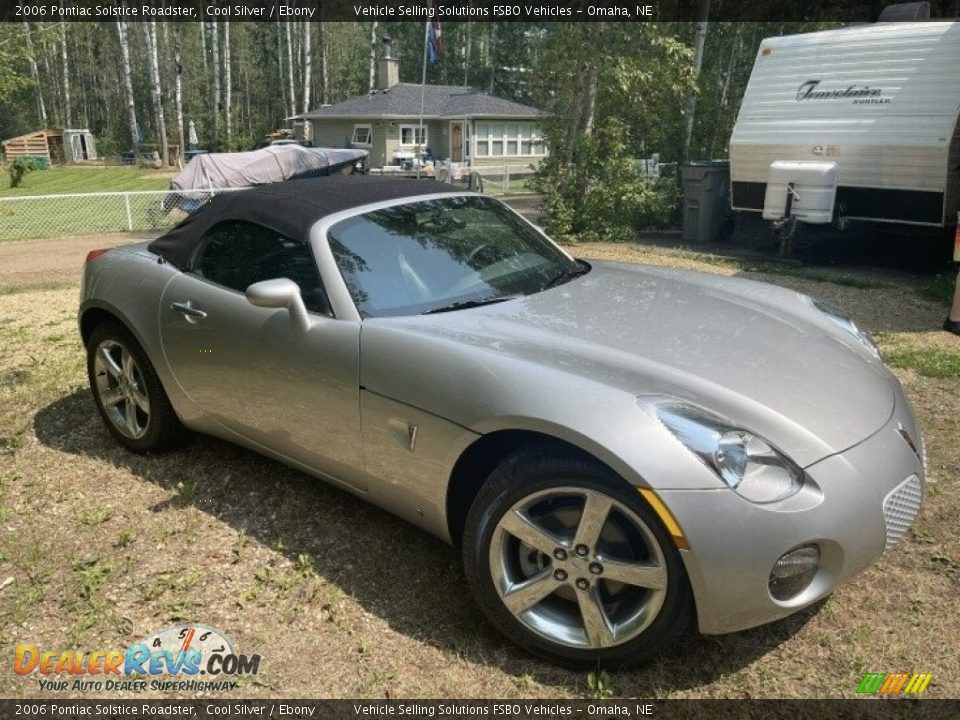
x,y
275,163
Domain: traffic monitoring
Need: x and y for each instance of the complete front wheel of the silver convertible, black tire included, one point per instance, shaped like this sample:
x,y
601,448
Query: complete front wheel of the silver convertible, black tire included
x,y
568,561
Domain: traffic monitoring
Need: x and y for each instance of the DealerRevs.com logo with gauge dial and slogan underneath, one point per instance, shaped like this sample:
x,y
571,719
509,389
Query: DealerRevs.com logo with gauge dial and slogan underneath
x,y
172,659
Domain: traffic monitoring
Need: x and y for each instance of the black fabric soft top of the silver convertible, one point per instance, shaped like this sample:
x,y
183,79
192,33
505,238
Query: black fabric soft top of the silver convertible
x,y
290,208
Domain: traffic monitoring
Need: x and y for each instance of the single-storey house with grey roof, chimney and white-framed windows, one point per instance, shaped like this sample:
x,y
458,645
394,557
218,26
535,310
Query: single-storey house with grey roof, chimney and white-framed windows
x,y
461,124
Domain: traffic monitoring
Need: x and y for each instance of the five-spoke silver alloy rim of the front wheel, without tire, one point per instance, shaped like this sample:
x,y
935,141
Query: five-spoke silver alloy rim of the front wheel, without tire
x,y
578,567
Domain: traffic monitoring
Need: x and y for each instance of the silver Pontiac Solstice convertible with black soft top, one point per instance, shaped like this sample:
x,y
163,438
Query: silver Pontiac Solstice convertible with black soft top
x,y
617,449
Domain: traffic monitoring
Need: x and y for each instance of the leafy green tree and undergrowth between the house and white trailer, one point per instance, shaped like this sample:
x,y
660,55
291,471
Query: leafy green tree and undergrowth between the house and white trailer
x,y
639,76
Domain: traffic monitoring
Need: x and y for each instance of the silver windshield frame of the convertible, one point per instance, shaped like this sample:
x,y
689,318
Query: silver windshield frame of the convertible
x,y
337,290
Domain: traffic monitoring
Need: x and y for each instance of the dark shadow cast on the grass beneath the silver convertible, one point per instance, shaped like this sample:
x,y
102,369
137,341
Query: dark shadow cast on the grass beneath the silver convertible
x,y
408,578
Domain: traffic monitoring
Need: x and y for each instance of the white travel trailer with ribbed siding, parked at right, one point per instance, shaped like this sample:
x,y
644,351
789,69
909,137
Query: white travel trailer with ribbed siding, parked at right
x,y
859,123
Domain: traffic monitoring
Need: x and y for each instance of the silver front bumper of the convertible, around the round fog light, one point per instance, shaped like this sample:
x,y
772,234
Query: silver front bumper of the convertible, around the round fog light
x,y
734,543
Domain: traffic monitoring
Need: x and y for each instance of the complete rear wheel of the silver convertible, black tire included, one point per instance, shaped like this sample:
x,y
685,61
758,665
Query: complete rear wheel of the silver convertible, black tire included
x,y
128,394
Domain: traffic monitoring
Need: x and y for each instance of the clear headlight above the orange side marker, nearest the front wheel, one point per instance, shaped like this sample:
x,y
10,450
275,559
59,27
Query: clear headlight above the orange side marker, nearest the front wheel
x,y
742,460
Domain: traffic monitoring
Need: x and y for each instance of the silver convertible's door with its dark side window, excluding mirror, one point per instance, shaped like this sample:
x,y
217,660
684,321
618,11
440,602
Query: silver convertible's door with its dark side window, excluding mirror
x,y
251,369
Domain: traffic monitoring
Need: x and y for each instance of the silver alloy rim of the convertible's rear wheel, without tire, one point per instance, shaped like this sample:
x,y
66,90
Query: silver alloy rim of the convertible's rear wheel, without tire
x,y
121,389
